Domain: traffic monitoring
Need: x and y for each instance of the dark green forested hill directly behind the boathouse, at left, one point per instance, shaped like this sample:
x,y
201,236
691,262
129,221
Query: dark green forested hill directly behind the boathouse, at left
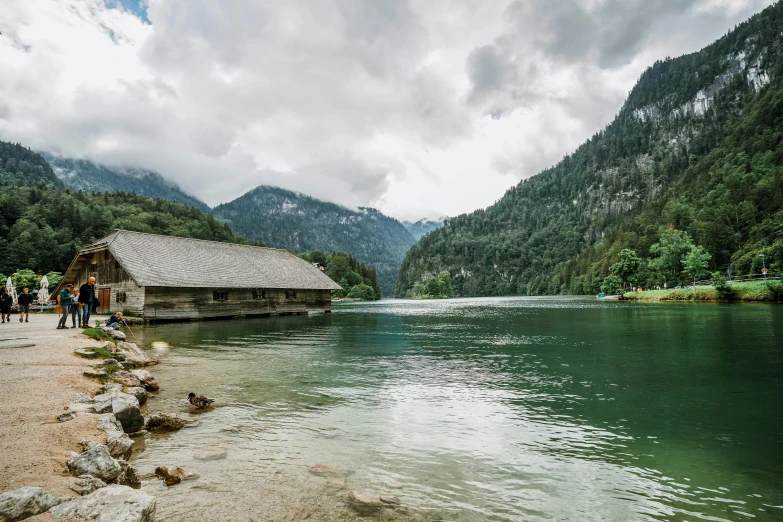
x,y
42,227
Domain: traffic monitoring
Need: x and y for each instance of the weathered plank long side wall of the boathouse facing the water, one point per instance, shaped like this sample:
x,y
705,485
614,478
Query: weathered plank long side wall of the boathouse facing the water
x,y
197,303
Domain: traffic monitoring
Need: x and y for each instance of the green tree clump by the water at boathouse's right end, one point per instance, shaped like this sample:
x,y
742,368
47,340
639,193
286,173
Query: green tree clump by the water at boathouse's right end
x,y
358,280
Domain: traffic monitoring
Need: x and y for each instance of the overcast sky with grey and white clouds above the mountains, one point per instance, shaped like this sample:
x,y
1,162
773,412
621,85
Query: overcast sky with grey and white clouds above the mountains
x,y
419,108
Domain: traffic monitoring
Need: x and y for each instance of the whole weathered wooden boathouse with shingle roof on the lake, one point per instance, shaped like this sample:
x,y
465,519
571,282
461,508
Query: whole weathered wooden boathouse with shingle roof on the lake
x,y
164,278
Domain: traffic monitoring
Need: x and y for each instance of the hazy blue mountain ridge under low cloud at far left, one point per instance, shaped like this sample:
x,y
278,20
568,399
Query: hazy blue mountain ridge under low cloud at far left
x,y
91,177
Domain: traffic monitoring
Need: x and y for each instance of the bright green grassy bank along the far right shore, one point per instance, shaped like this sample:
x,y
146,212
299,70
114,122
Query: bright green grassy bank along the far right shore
x,y
747,291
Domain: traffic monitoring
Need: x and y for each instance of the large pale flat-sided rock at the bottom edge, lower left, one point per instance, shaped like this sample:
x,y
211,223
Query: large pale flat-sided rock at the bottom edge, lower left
x,y
113,503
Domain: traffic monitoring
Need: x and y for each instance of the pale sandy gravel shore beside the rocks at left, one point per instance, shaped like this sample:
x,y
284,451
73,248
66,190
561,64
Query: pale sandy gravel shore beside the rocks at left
x,y
36,384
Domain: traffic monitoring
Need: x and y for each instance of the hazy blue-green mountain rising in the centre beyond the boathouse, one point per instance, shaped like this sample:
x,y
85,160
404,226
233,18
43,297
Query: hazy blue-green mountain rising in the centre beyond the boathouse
x,y
284,219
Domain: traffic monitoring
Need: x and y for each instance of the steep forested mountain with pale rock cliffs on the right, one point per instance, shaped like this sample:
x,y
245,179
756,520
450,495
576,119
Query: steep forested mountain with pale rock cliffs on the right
x,y
697,146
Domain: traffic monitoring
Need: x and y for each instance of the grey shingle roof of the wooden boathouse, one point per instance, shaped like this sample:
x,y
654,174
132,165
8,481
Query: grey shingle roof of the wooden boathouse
x,y
153,260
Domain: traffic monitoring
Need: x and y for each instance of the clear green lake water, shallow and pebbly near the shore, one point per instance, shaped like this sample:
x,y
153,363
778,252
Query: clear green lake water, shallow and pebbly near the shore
x,y
482,409
